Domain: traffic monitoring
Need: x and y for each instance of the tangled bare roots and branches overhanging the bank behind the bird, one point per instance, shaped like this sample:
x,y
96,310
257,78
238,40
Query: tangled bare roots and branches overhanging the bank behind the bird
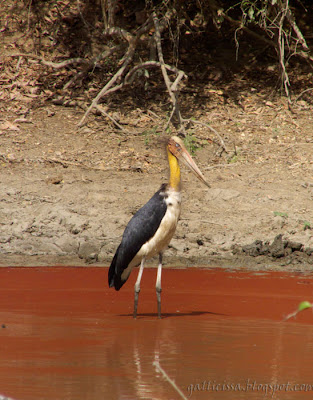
x,y
139,46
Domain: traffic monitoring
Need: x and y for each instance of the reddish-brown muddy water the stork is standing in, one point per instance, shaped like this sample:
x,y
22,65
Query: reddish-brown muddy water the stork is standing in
x,y
65,335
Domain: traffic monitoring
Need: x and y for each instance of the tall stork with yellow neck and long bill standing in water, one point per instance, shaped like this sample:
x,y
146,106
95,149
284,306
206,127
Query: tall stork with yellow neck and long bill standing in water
x,y
151,229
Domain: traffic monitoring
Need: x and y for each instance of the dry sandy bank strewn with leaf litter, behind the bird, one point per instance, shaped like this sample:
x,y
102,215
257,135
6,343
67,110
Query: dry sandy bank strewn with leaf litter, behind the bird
x,y
67,194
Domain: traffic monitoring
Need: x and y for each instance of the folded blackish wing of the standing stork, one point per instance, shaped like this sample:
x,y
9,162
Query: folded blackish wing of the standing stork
x,y
139,230
